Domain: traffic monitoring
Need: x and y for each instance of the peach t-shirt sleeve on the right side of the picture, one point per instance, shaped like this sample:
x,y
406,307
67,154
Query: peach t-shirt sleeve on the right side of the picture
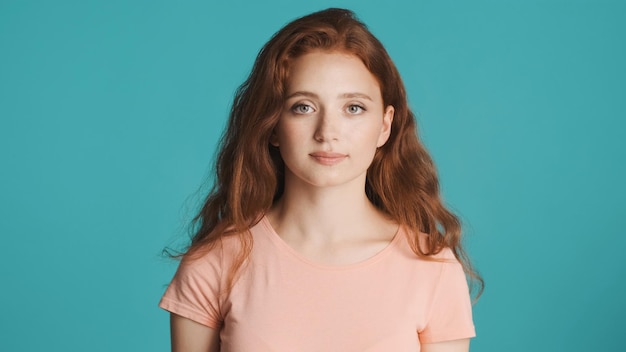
x,y
450,316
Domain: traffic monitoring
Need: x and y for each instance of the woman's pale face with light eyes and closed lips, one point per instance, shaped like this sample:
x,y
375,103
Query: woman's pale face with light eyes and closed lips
x,y
332,121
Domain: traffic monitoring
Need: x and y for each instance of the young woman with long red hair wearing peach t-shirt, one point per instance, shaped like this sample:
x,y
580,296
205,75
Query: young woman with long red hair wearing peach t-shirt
x,y
325,230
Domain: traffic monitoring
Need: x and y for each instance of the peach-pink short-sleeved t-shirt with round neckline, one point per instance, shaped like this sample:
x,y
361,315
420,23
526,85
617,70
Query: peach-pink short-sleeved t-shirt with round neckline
x,y
283,302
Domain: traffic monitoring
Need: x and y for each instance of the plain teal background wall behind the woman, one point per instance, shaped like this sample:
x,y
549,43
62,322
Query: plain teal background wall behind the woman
x,y
110,112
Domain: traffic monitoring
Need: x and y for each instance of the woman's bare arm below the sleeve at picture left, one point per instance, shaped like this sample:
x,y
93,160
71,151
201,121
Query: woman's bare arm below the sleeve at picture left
x,y
189,336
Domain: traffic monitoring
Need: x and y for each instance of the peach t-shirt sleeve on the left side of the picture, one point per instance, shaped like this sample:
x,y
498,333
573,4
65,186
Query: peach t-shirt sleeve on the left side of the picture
x,y
194,292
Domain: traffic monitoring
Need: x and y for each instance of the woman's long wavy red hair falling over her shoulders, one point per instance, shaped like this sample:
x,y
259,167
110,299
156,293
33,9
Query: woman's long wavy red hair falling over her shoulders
x,y
401,181
